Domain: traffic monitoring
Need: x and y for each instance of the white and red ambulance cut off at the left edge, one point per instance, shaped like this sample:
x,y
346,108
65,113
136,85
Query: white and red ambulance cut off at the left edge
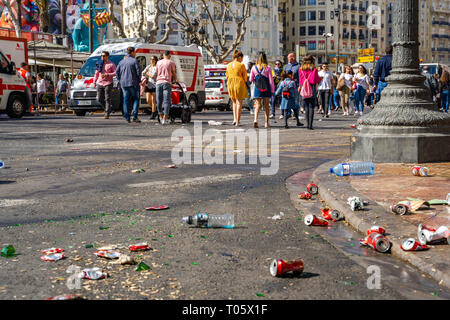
x,y
15,97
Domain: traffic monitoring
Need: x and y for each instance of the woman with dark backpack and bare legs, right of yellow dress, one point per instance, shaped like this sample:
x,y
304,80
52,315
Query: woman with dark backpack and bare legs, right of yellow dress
x,y
261,75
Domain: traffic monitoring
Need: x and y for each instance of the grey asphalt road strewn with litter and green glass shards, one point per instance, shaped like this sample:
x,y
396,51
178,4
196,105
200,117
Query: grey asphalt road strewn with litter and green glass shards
x,y
55,193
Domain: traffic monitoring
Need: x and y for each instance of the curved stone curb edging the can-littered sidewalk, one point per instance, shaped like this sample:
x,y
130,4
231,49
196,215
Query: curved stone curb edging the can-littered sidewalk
x,y
397,229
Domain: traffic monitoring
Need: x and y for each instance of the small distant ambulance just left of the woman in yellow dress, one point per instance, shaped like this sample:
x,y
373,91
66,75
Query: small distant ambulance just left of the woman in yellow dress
x,y
216,87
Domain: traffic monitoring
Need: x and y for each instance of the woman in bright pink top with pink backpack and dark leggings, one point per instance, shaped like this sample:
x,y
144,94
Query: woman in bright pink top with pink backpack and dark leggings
x,y
309,79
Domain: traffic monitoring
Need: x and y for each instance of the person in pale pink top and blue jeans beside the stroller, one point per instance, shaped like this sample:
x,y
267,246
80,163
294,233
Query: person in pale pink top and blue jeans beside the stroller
x,y
165,75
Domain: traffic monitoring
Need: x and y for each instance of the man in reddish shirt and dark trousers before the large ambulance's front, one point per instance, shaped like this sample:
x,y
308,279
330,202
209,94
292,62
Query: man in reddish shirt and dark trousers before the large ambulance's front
x,y
103,80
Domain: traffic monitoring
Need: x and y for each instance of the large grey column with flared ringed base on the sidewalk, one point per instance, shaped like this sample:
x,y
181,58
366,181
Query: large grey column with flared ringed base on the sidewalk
x,y
405,126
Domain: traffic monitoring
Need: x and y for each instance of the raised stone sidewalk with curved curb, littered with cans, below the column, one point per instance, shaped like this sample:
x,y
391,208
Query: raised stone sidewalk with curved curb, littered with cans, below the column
x,y
390,184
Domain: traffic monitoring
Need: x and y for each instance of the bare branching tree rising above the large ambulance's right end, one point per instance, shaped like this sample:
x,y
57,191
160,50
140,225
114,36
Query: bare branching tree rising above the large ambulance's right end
x,y
215,13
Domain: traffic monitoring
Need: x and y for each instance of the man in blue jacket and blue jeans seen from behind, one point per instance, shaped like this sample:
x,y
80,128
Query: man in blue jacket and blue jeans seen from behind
x,y
128,73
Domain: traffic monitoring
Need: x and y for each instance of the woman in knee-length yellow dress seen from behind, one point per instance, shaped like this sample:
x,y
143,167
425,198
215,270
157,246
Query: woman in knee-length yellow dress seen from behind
x,y
236,83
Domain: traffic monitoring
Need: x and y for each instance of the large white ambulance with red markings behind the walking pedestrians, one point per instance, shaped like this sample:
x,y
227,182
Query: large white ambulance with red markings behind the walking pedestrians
x,y
188,60
